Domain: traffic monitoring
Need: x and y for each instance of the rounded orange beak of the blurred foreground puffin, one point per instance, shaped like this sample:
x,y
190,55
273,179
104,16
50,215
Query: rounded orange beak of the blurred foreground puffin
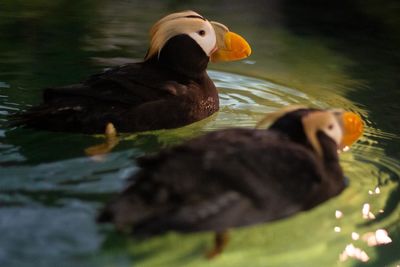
x,y
353,128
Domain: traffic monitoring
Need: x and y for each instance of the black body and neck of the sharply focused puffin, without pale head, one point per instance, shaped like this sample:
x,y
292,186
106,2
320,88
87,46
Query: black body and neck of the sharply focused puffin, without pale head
x,y
134,97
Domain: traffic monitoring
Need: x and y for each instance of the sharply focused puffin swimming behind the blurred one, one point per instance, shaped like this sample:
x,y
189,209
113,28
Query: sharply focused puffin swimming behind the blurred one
x,y
170,88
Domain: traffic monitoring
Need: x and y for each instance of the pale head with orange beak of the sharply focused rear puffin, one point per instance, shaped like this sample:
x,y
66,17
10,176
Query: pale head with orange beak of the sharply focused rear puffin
x,y
215,39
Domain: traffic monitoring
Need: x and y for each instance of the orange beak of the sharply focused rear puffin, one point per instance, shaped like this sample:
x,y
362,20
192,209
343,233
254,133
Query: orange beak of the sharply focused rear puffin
x,y
230,47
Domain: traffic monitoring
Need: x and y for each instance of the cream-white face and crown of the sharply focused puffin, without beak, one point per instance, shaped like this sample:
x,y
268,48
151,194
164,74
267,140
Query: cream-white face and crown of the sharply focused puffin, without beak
x,y
189,23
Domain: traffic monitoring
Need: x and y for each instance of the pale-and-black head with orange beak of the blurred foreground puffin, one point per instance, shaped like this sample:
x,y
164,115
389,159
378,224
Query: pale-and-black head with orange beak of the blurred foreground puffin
x,y
307,125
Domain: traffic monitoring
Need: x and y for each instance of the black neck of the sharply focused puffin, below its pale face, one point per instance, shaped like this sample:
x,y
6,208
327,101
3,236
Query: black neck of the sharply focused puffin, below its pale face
x,y
182,55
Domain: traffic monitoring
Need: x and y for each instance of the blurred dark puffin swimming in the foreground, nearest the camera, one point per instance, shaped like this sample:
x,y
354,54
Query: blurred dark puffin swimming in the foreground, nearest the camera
x,y
237,177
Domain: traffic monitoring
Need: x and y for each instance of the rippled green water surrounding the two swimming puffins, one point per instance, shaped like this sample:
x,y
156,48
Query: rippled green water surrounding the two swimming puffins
x,y
330,54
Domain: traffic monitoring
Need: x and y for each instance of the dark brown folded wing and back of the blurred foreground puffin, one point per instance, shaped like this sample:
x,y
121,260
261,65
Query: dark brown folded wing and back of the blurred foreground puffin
x,y
224,179
